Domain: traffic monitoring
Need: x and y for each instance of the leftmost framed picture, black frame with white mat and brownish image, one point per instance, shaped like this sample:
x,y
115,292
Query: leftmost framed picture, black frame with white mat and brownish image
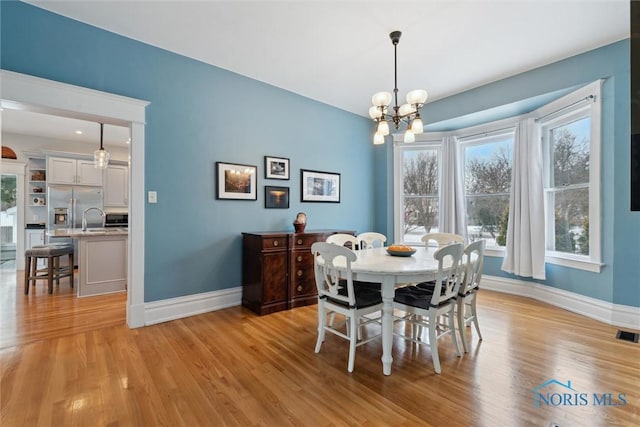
x,y
235,181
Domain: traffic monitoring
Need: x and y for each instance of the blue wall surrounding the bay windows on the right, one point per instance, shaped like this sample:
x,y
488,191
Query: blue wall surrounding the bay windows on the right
x,y
619,280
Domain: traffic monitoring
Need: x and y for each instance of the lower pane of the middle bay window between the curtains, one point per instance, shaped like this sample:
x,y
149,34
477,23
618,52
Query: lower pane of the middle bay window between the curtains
x,y
487,218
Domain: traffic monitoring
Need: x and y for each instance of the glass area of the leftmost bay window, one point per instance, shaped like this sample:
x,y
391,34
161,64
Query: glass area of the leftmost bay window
x,y
420,188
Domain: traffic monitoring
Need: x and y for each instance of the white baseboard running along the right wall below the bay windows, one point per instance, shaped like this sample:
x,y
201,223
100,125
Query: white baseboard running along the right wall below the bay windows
x,y
612,314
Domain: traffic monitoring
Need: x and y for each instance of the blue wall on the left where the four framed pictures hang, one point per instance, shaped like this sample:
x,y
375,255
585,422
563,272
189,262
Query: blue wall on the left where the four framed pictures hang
x,y
200,114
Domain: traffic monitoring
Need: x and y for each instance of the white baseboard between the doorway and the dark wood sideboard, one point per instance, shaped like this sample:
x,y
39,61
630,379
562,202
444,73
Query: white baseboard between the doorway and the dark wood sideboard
x,y
191,305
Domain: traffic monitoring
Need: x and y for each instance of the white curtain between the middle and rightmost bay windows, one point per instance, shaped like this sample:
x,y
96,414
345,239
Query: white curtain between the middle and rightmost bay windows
x,y
525,233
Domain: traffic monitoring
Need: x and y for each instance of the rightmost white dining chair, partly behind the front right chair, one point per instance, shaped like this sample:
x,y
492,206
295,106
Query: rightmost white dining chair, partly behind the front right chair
x,y
473,257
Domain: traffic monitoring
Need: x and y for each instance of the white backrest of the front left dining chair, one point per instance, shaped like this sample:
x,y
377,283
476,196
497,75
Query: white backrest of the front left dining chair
x,y
328,281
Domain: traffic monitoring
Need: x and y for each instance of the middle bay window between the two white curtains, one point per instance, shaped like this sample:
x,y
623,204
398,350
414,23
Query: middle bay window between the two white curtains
x,y
487,184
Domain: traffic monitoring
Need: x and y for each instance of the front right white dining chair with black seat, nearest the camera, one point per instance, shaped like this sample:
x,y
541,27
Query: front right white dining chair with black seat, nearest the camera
x,y
433,309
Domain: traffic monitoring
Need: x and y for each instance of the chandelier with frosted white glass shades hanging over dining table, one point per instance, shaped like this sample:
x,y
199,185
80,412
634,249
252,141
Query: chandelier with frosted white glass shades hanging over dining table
x,y
408,113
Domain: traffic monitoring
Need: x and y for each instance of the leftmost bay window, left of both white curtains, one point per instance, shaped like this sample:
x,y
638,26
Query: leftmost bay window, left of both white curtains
x,y
418,190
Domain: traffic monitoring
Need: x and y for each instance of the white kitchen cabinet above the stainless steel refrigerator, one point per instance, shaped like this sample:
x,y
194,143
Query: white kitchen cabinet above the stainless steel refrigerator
x,y
63,170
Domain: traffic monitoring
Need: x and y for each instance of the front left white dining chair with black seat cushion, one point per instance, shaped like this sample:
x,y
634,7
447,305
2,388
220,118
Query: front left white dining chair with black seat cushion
x,y
340,296
